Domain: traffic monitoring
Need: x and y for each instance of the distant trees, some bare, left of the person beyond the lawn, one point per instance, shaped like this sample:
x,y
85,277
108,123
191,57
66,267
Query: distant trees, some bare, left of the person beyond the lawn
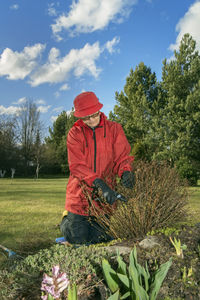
x,y
24,148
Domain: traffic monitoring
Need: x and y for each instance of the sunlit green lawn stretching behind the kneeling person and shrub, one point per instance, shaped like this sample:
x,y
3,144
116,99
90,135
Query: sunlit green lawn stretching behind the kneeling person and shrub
x,y
31,210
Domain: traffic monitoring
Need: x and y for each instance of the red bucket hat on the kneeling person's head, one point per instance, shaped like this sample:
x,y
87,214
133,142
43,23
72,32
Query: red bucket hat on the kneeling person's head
x,y
86,104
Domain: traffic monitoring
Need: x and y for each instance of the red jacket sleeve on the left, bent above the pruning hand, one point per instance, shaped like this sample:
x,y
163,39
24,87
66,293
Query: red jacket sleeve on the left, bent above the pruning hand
x,y
76,159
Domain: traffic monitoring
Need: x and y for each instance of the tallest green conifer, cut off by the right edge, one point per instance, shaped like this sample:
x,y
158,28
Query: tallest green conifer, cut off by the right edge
x,y
181,119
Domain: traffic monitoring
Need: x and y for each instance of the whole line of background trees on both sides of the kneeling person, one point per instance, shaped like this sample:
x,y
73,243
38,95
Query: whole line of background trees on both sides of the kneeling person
x,y
161,120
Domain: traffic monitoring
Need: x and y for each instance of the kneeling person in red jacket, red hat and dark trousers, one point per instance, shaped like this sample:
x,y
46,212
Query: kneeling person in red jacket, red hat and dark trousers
x,y
98,151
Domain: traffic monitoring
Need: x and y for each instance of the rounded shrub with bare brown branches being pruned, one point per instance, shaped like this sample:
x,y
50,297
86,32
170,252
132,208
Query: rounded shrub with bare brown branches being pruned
x,y
157,200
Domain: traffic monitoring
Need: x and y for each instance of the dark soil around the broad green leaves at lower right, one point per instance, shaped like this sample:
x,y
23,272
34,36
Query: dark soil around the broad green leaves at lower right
x,y
183,278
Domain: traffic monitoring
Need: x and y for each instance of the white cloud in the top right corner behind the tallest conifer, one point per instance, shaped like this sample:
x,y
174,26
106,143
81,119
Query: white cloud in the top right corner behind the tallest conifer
x,y
190,23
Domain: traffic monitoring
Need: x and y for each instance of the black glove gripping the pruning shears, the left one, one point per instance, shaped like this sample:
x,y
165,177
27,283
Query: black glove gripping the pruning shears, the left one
x,y
110,195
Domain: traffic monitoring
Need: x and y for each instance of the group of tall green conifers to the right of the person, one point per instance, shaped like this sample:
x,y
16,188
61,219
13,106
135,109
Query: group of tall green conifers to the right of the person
x,y
162,119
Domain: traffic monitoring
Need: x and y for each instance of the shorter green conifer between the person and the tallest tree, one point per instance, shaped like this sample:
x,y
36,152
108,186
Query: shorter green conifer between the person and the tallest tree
x,y
137,106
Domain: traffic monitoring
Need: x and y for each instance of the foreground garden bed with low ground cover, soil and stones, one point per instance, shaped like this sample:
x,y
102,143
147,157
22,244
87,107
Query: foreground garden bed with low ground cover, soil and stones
x,y
21,279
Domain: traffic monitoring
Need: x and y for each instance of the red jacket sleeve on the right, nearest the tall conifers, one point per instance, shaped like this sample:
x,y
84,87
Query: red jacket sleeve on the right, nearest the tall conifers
x,y
123,160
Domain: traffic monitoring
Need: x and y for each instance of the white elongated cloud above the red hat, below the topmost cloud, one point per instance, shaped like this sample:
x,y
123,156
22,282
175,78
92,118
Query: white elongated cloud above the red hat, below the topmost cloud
x,y
78,61
